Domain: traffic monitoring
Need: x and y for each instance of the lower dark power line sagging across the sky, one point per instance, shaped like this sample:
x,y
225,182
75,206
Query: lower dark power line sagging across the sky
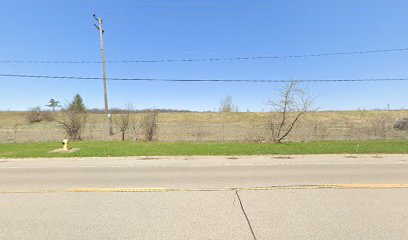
x,y
205,80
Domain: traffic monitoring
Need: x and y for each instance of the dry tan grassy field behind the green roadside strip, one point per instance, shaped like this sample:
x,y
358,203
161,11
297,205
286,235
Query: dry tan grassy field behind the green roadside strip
x,y
218,127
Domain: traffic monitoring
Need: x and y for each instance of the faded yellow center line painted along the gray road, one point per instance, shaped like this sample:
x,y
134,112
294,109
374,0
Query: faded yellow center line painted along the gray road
x,y
268,188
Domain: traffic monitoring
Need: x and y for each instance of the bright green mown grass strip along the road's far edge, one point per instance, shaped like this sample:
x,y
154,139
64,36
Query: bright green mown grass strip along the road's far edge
x,y
105,149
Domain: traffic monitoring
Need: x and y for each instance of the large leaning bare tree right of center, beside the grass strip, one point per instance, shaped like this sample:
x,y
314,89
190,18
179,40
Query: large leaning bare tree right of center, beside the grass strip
x,y
286,111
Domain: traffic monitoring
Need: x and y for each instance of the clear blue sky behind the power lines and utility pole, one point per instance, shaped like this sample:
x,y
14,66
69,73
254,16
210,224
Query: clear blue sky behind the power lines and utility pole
x,y
164,29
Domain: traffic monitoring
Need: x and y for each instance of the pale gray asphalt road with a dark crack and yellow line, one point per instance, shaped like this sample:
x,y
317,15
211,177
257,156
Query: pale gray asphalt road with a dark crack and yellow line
x,y
263,197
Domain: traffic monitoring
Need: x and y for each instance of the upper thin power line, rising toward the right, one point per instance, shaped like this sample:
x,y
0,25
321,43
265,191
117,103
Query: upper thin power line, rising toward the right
x,y
208,59
